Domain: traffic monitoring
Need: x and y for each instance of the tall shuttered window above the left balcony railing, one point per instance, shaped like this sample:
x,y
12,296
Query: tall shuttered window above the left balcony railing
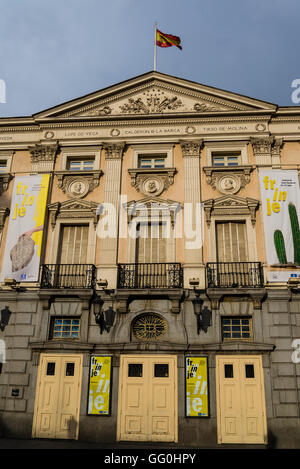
x,y
73,244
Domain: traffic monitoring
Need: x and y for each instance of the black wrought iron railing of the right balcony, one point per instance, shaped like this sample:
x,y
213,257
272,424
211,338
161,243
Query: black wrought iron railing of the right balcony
x,y
234,275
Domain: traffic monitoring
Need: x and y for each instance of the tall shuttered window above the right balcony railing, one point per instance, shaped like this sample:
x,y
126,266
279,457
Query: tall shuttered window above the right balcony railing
x,y
231,242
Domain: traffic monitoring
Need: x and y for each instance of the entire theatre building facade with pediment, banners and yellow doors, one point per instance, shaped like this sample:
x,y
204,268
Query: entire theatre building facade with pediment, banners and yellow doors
x,y
150,268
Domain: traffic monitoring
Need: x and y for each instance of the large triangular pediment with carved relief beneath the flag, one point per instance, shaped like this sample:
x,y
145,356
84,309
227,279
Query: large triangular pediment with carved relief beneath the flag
x,y
154,94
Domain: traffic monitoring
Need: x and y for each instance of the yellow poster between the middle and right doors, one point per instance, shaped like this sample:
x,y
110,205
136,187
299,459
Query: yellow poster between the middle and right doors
x,y
196,379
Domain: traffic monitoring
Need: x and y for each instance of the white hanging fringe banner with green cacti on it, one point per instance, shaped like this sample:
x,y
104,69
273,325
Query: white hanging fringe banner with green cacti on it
x,y
280,196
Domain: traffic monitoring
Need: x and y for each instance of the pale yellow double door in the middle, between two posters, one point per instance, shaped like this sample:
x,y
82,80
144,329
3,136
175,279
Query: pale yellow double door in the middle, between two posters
x,y
148,398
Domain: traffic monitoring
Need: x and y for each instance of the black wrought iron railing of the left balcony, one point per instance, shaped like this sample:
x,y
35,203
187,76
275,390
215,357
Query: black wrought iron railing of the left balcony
x,y
68,276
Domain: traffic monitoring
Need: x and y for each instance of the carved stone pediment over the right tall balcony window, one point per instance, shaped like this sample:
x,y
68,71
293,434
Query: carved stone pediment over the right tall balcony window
x,y
230,205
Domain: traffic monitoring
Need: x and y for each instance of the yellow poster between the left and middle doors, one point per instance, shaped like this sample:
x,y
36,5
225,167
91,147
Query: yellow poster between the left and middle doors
x,y
99,386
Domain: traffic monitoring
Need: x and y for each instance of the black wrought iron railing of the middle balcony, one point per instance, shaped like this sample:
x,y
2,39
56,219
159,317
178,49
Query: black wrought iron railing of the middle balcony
x,y
150,275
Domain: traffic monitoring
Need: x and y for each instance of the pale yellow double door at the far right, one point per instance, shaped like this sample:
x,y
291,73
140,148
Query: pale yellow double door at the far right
x,y
240,400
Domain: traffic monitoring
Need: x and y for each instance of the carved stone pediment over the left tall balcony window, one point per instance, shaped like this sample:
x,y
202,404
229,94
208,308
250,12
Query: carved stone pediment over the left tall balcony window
x,y
73,208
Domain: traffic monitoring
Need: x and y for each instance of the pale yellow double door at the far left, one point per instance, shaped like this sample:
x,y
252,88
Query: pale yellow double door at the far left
x,y
56,413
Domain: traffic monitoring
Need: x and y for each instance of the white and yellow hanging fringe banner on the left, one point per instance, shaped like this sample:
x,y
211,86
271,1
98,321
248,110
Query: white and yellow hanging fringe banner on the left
x,y
25,228
